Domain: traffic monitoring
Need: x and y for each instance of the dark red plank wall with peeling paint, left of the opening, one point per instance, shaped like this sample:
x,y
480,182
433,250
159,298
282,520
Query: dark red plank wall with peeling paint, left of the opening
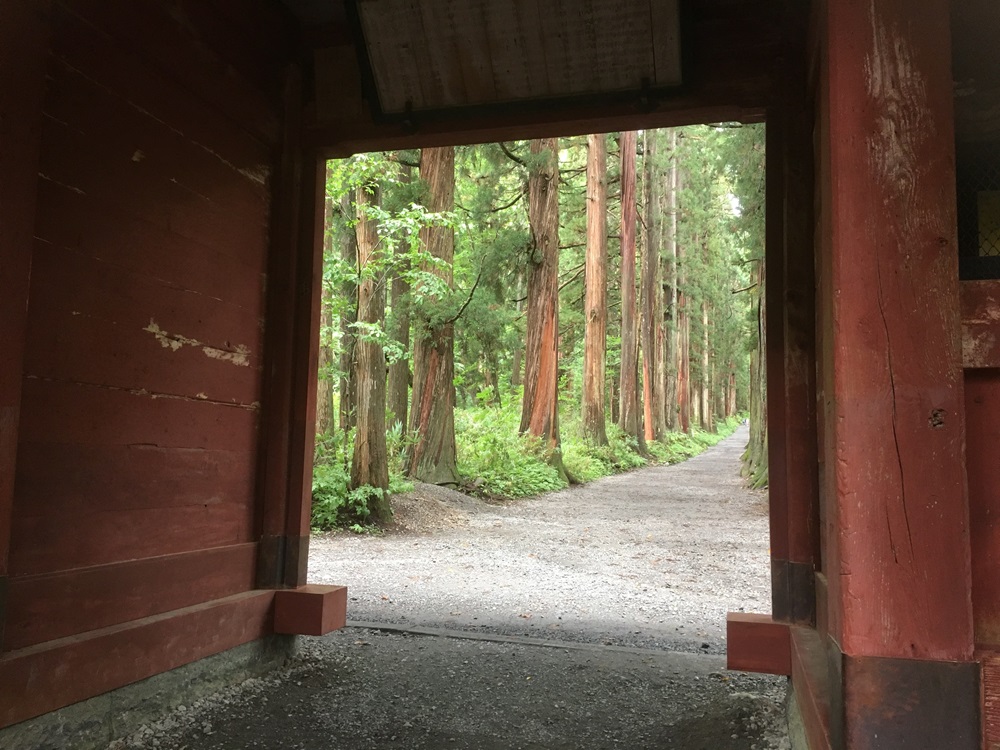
x,y
138,447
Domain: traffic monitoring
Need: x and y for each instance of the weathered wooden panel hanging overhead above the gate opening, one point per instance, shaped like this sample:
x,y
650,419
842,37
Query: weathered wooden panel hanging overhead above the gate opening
x,y
441,54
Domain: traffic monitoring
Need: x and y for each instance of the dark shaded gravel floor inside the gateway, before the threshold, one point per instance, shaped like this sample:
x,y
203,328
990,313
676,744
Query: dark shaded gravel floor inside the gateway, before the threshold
x,y
364,689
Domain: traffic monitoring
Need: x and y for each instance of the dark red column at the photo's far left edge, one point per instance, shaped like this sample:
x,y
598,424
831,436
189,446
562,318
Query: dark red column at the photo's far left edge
x,y
24,49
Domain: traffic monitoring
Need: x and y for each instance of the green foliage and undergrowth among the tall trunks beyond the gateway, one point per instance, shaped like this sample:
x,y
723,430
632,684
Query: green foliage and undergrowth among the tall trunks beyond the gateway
x,y
720,238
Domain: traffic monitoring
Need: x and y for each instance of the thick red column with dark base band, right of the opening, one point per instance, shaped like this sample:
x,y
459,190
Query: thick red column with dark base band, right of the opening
x,y
901,620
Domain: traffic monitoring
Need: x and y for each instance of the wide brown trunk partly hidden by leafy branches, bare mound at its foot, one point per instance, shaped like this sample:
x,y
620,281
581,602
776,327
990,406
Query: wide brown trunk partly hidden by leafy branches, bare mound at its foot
x,y
431,457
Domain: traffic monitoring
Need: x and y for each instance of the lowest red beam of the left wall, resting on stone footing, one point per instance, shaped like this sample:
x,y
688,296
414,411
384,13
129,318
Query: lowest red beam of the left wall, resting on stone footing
x,y
33,680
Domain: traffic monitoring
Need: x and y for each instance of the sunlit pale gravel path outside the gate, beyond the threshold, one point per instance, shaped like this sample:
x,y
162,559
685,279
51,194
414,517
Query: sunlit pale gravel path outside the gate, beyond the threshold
x,y
653,558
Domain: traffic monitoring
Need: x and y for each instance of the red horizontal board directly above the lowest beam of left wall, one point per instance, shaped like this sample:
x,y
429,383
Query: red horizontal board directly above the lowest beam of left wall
x,y
45,607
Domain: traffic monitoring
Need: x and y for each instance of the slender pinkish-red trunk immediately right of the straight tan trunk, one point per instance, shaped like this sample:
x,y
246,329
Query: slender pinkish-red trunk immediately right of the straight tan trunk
x,y
629,418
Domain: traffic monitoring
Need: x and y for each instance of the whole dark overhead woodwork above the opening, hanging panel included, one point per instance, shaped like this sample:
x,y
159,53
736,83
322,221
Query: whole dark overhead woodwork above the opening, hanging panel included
x,y
384,74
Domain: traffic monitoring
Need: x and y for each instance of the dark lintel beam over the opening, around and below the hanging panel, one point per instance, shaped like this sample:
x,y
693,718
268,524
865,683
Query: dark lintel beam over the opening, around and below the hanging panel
x,y
728,54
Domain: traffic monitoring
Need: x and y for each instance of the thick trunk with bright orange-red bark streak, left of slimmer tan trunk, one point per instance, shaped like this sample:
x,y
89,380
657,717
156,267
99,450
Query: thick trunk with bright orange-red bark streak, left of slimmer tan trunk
x,y
540,406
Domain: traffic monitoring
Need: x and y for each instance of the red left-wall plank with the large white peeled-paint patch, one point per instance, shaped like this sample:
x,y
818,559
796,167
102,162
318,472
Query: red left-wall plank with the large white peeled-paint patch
x,y
97,324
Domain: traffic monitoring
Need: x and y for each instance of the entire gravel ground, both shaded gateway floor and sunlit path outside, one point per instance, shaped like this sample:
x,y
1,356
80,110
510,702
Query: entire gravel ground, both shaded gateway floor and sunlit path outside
x,y
580,619
